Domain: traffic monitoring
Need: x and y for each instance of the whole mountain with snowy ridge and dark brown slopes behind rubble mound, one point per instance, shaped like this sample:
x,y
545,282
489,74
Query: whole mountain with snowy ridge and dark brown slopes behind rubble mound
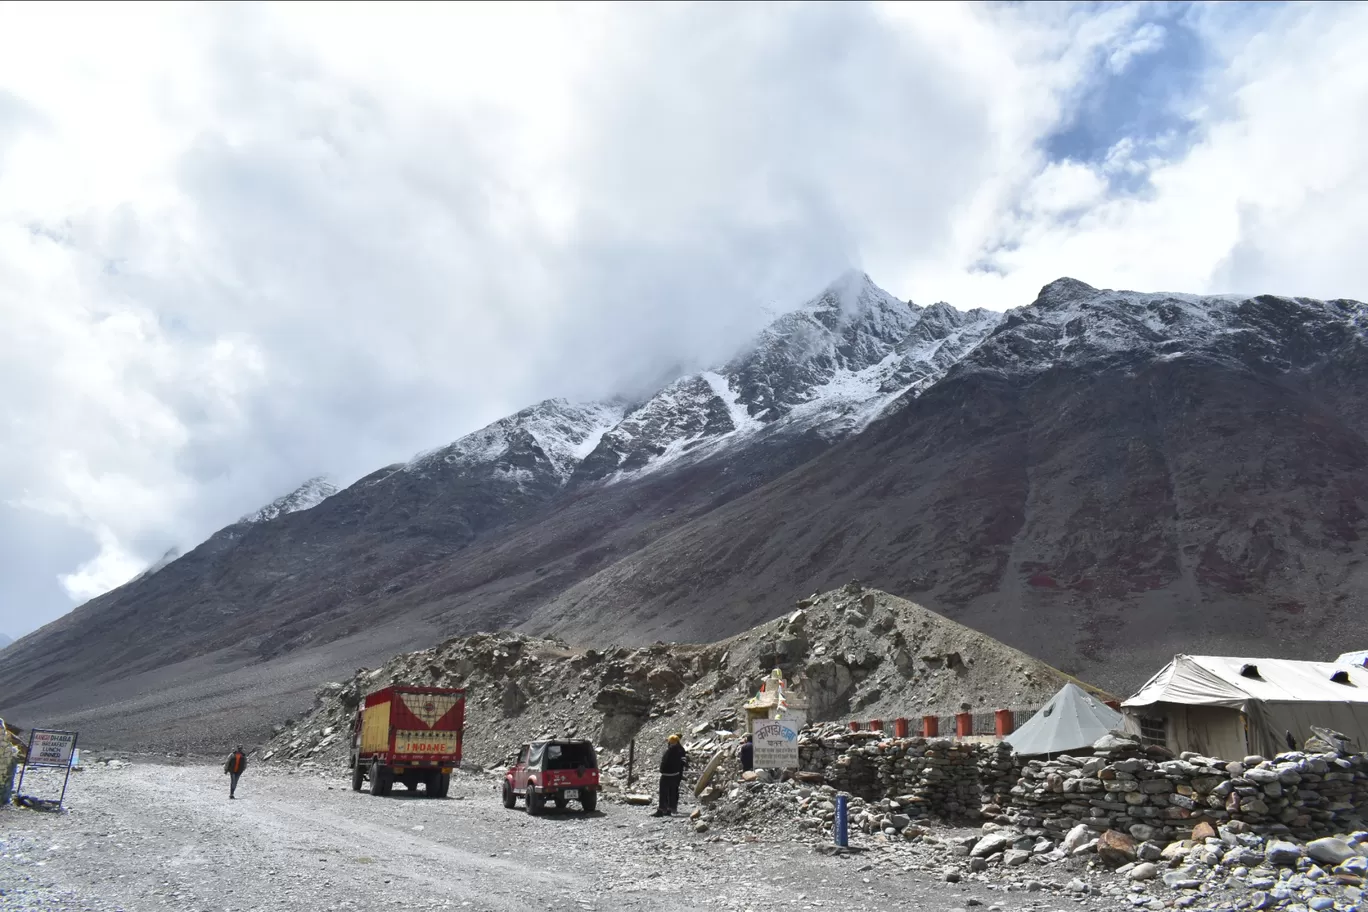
x,y
1101,479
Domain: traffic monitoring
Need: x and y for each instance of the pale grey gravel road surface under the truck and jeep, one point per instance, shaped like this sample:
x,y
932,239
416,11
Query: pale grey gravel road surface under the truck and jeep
x,y
159,837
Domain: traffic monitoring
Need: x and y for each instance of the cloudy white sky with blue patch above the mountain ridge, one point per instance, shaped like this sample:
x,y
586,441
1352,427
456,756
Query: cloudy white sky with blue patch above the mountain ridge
x,y
243,245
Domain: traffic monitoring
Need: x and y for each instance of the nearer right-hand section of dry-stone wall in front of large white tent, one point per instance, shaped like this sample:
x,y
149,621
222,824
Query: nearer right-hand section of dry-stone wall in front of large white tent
x,y
1153,796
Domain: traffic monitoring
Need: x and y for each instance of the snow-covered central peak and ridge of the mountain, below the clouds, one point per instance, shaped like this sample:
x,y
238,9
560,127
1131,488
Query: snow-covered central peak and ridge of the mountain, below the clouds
x,y
831,366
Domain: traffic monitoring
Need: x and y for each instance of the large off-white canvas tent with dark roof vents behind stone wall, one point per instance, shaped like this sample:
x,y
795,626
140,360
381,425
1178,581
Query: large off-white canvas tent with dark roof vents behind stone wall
x,y
1229,708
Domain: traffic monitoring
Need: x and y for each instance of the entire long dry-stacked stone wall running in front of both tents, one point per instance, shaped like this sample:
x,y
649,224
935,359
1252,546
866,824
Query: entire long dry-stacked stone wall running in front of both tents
x,y
1144,792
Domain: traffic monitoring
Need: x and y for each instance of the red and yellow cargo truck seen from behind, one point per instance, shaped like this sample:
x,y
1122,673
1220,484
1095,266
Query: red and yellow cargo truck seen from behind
x,y
408,735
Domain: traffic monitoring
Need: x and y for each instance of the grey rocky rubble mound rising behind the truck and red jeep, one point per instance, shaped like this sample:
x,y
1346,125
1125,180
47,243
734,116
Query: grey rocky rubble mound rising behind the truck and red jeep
x,y
853,653
